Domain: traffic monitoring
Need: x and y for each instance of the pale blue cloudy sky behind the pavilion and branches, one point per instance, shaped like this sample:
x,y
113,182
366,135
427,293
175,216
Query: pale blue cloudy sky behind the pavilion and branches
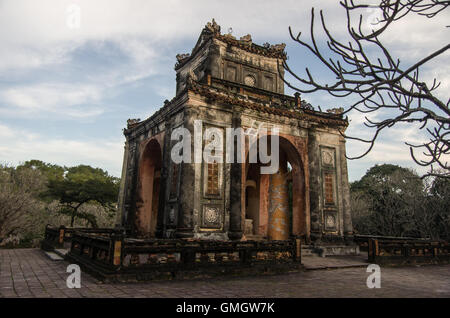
x,y
66,90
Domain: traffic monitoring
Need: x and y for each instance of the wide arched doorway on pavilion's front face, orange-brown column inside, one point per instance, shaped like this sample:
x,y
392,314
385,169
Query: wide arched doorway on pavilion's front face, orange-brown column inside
x,y
275,205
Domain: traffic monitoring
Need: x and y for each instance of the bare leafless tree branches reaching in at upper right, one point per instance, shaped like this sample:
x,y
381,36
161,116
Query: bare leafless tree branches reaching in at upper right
x,y
380,82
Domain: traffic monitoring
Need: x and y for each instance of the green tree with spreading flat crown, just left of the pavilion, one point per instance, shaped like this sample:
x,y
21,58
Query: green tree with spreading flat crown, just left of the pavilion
x,y
82,185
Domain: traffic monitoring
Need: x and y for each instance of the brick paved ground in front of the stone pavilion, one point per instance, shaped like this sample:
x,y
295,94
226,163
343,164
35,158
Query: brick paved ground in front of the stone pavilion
x,y
28,273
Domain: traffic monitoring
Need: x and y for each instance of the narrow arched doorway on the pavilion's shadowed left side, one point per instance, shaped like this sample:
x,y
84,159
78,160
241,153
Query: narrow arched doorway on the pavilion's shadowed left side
x,y
149,187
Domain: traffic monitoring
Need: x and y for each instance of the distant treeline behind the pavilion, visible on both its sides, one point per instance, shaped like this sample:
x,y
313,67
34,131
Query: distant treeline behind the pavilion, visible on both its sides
x,y
388,200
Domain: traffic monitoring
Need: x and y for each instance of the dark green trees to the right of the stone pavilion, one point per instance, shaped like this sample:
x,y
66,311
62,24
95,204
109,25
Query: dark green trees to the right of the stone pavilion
x,y
390,200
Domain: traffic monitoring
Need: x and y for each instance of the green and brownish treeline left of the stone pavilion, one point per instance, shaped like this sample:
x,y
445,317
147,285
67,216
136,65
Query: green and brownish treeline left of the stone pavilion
x,y
37,193
